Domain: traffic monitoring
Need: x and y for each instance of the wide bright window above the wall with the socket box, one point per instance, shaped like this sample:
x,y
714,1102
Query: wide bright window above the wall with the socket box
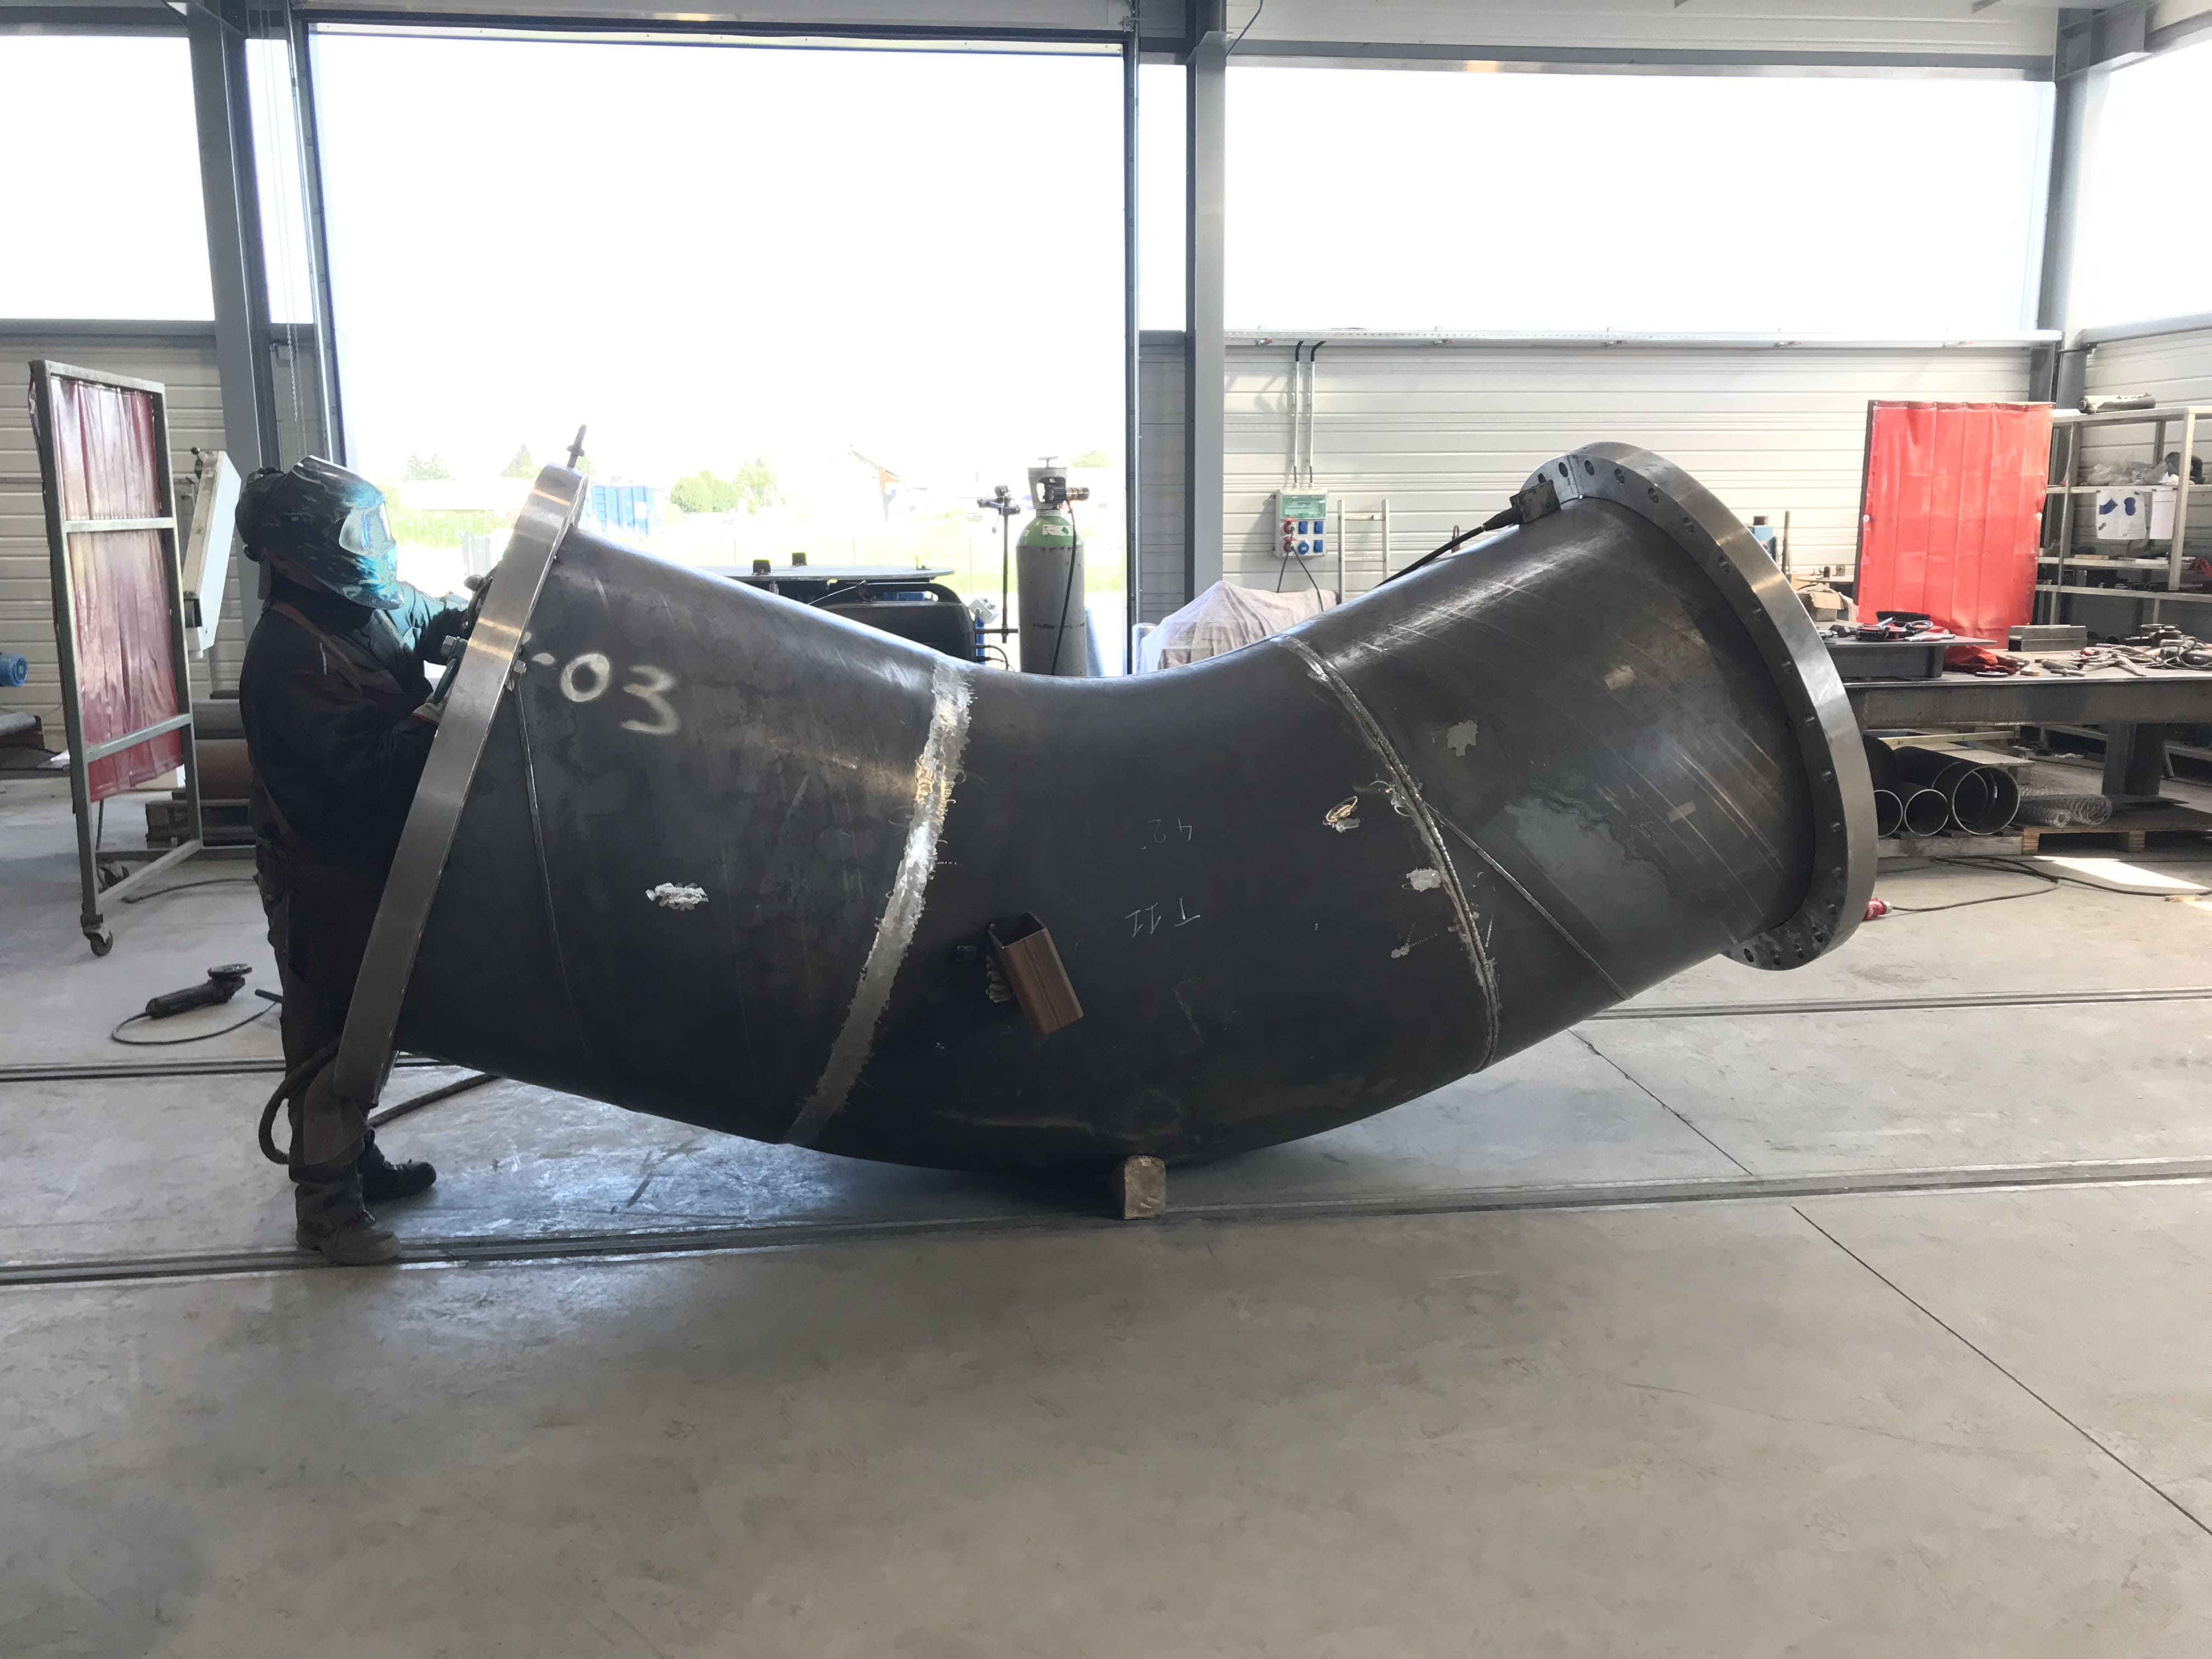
x,y
1811,205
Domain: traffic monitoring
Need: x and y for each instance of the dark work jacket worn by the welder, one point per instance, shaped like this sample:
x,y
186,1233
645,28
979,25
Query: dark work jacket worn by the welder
x,y
331,727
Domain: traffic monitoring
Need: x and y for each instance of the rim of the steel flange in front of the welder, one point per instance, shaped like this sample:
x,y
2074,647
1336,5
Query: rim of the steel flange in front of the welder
x,y
419,866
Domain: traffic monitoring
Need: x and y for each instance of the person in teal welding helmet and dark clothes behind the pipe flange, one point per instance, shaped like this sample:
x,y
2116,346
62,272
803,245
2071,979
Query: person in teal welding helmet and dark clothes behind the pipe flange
x,y
340,720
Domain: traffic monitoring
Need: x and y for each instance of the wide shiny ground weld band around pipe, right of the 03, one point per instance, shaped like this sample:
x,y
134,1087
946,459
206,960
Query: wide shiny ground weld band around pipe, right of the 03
x,y
935,773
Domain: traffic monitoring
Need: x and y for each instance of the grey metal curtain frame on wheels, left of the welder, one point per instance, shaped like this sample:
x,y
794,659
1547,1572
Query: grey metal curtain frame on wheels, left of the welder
x,y
65,638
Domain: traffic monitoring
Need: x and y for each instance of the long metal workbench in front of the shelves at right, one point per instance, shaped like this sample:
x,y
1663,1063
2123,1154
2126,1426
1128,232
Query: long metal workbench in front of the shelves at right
x,y
2131,709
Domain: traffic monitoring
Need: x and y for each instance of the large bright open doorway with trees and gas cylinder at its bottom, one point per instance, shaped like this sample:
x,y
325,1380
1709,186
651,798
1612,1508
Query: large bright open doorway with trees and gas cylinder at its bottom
x,y
811,300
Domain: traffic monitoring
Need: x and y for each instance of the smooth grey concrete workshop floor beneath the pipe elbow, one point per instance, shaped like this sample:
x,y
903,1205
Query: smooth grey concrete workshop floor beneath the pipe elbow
x,y
1651,1342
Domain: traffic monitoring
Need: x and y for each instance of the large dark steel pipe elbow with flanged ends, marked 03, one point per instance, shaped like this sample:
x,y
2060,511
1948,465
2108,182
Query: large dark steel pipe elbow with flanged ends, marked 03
x,y
711,855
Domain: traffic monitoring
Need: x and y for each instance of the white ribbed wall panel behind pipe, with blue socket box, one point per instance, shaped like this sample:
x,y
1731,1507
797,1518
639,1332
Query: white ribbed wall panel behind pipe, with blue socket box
x,y
1448,435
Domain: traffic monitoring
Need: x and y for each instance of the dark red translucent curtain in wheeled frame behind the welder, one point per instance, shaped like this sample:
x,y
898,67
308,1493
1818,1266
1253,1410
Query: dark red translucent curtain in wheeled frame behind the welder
x,y
112,468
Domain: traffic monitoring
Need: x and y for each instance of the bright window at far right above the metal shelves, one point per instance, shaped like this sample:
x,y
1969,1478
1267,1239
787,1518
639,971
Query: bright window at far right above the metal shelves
x,y
2142,251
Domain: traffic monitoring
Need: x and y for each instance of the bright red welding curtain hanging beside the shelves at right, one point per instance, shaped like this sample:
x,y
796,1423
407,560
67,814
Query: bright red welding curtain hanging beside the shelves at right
x,y
1952,512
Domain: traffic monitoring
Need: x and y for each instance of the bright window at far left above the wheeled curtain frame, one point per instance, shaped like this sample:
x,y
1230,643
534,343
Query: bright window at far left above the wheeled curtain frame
x,y
103,182
